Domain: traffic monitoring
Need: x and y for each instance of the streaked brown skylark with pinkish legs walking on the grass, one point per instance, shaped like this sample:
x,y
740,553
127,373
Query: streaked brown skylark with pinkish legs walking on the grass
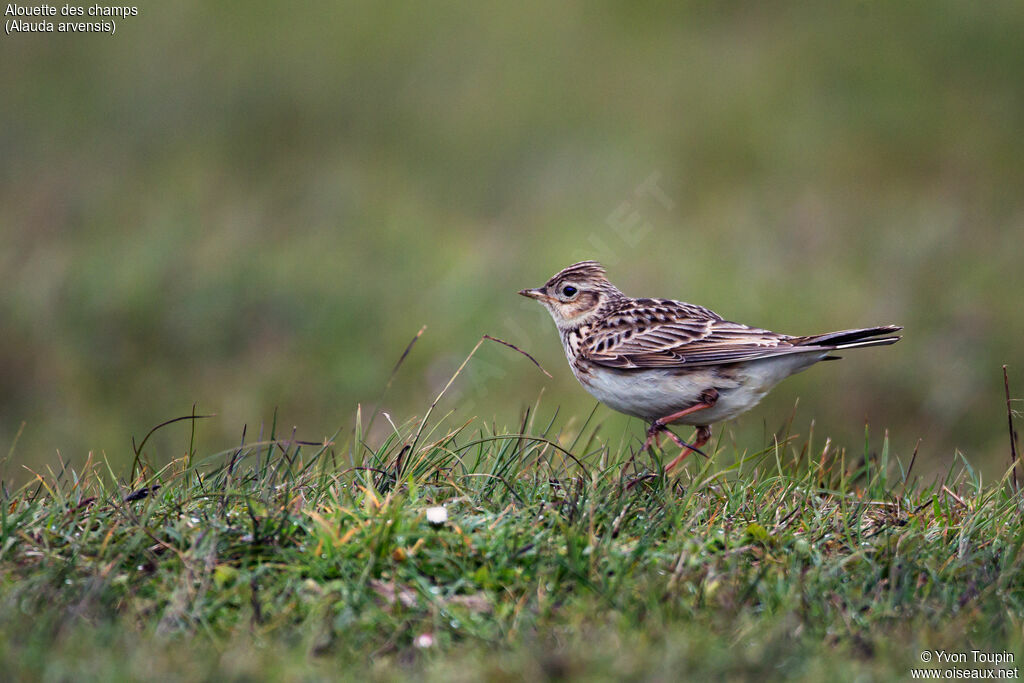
x,y
668,362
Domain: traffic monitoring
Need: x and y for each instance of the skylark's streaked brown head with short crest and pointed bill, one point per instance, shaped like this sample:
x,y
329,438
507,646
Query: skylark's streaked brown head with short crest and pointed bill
x,y
575,294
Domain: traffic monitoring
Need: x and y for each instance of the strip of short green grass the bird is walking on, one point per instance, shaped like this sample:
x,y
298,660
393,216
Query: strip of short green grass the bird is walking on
x,y
298,562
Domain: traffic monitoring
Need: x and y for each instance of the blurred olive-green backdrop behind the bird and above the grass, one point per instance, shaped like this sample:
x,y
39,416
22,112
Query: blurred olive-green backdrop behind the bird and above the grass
x,y
257,206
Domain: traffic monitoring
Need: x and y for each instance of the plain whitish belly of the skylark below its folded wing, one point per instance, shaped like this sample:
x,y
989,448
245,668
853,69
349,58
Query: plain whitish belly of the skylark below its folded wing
x,y
657,394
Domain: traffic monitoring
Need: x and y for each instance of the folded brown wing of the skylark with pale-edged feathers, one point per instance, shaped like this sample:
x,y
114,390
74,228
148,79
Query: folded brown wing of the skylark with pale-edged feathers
x,y
662,333
